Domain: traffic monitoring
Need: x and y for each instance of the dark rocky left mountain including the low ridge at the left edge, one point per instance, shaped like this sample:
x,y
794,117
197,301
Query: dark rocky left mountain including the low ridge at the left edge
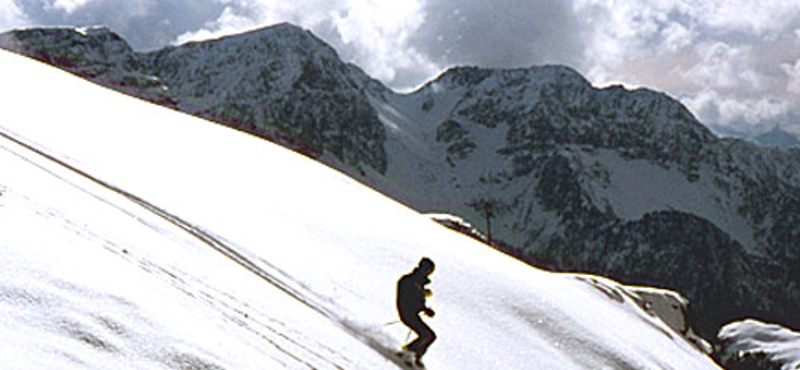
x,y
281,83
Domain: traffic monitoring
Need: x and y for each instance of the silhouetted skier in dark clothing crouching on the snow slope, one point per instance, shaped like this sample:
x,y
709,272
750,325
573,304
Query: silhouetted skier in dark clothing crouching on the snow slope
x,y
411,294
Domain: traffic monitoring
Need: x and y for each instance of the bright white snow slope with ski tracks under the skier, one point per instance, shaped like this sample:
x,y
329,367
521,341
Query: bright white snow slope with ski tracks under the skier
x,y
134,236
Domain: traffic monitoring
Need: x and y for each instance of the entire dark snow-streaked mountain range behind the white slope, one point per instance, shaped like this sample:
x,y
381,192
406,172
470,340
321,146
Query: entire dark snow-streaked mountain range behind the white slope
x,y
623,183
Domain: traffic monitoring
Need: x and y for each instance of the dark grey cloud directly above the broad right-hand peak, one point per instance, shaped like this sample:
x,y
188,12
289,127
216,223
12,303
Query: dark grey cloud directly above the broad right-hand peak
x,y
500,33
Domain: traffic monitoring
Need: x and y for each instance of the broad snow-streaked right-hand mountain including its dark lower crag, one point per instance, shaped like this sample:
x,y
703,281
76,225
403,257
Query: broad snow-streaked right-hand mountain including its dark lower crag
x,y
628,180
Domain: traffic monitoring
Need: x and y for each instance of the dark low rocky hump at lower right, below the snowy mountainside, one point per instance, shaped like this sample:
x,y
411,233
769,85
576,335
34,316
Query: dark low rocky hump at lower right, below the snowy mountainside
x,y
687,254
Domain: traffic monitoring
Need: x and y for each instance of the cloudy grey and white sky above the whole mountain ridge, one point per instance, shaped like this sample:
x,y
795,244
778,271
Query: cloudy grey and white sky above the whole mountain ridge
x,y
734,63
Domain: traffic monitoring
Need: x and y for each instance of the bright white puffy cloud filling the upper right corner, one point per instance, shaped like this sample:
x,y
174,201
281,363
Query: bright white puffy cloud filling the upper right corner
x,y
732,62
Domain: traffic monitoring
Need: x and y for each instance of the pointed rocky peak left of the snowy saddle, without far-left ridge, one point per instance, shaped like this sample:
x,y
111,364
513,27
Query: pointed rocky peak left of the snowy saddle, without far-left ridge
x,y
279,82
